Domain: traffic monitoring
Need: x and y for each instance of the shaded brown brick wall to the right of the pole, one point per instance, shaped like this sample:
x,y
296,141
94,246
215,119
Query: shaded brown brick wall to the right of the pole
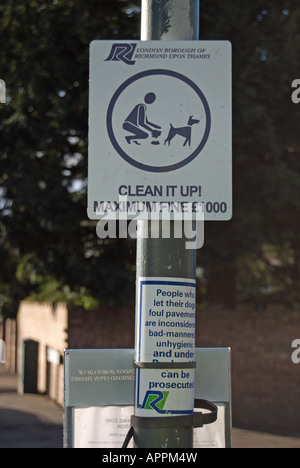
x,y
265,382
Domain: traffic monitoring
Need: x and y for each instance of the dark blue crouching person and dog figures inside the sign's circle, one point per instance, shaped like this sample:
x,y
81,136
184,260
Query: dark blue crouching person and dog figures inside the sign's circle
x,y
140,127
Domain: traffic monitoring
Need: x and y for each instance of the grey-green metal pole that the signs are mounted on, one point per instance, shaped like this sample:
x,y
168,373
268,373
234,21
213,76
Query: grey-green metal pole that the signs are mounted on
x,y
158,257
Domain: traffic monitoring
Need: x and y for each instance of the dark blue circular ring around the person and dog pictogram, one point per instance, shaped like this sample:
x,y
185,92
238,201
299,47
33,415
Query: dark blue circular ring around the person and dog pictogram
x,y
146,167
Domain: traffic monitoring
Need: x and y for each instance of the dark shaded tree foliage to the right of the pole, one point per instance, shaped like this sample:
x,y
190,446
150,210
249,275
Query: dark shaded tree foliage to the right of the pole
x,y
266,148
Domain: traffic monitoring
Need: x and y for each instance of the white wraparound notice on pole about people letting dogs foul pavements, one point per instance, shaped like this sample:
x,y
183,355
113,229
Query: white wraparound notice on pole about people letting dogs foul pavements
x,y
166,333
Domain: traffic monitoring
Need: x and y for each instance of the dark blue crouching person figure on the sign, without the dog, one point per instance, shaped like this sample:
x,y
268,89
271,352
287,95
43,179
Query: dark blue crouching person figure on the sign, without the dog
x,y
138,124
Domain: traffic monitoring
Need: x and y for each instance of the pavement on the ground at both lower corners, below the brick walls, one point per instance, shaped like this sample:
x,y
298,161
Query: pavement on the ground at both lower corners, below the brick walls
x,y
34,421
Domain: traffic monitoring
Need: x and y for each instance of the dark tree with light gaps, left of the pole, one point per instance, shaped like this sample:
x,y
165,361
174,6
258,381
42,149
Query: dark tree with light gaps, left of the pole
x,y
43,151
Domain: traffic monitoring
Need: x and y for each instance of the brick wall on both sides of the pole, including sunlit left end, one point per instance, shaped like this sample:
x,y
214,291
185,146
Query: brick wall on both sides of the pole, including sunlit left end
x,y
265,382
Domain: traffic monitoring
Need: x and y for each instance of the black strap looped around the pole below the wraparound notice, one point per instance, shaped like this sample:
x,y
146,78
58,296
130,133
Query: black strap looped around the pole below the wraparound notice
x,y
195,420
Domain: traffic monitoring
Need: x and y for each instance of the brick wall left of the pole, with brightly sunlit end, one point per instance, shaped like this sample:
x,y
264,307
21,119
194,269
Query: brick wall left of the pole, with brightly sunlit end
x,y
58,328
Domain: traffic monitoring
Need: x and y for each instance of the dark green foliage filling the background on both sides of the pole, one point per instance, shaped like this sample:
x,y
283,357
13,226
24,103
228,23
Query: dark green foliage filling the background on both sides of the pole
x,y
48,249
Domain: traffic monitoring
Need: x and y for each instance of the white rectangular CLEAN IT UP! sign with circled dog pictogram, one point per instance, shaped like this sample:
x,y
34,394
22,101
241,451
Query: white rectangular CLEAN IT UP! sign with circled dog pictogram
x,y
160,129
